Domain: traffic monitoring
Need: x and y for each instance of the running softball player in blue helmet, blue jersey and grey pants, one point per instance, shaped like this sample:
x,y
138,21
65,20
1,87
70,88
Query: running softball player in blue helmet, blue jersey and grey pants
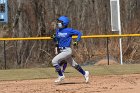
x,y
64,38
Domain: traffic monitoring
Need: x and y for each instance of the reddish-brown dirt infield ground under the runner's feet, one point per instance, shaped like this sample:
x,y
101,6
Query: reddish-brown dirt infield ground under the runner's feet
x,y
97,84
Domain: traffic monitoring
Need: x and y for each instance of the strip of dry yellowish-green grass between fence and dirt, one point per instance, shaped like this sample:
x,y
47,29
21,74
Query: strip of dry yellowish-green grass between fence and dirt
x,y
43,73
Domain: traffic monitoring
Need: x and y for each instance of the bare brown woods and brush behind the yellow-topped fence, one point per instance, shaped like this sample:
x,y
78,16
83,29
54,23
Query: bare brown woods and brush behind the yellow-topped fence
x,y
36,18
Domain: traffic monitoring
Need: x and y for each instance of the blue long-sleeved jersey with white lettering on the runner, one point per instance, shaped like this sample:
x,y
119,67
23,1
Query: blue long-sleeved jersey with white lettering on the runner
x,y
64,36
